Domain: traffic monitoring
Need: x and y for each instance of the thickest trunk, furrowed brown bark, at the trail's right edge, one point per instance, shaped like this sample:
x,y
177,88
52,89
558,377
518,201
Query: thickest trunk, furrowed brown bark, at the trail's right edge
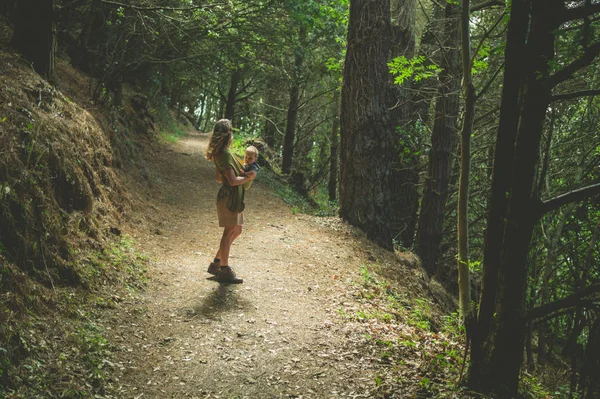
x,y
367,139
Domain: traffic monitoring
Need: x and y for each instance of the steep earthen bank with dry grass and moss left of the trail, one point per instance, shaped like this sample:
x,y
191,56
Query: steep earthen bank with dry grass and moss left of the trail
x,y
63,161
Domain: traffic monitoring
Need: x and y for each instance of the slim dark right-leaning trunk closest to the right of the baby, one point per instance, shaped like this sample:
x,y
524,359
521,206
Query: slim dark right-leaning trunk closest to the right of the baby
x,y
292,115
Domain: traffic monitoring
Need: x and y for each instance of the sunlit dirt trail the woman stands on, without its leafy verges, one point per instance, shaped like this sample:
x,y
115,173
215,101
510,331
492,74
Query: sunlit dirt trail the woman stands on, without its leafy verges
x,y
278,335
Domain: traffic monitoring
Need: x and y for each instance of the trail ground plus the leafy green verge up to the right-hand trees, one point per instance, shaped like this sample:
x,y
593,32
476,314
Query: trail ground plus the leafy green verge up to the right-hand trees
x,y
322,312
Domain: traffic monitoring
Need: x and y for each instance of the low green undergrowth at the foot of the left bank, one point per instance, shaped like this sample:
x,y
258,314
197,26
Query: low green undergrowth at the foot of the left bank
x,y
53,342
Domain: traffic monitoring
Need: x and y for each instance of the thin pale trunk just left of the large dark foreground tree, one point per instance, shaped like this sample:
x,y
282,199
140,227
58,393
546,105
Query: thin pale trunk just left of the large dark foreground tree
x,y
464,279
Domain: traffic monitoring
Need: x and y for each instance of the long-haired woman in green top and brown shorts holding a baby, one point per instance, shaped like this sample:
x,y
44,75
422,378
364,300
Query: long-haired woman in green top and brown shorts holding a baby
x,y
230,199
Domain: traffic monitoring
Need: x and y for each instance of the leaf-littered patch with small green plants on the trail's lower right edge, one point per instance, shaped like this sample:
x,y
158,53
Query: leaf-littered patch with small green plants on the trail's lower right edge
x,y
396,327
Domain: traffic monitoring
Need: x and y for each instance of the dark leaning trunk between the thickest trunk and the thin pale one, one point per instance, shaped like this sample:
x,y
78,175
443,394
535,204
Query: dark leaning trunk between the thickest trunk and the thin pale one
x,y
443,141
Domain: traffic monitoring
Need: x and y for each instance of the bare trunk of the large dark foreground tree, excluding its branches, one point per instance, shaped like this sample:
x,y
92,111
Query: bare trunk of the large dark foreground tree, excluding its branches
x,y
497,353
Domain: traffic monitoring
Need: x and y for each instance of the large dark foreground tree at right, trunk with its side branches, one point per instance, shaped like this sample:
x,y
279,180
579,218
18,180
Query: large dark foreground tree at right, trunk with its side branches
x,y
532,71
